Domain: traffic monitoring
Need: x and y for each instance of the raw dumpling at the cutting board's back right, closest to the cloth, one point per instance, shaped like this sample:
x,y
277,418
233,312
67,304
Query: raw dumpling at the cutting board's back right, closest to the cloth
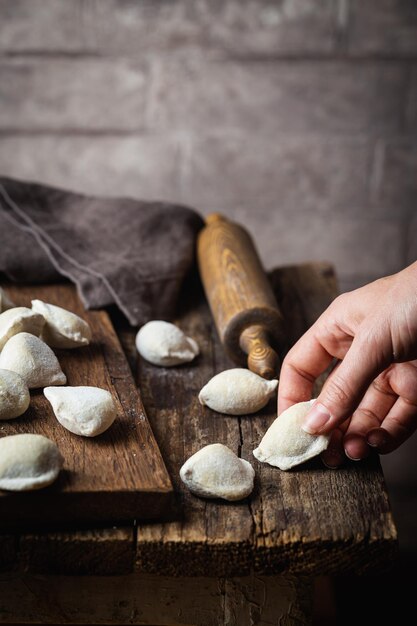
x,y
63,329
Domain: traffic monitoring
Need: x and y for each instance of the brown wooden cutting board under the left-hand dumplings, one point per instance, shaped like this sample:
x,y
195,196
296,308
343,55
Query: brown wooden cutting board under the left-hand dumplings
x,y
115,477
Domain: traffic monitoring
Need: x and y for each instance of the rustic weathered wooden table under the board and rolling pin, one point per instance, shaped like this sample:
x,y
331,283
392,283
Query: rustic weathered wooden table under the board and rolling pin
x,y
250,562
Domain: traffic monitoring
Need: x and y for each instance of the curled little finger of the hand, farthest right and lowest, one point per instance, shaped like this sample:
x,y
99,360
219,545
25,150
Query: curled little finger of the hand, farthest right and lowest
x,y
399,425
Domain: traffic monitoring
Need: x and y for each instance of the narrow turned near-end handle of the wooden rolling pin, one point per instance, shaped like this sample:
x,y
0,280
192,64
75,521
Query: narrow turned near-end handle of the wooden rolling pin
x,y
262,359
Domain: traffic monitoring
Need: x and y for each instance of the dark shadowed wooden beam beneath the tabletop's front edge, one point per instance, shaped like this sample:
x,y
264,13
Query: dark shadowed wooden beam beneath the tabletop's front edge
x,y
156,600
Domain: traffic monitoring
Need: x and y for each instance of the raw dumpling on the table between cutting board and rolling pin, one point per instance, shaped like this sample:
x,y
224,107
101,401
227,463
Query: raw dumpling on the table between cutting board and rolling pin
x,y
163,343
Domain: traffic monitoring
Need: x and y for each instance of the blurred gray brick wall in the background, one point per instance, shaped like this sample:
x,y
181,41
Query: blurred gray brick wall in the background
x,y
297,118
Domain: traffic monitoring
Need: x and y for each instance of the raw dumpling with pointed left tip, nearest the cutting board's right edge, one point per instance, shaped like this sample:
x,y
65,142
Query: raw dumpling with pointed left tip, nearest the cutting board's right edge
x,y
87,411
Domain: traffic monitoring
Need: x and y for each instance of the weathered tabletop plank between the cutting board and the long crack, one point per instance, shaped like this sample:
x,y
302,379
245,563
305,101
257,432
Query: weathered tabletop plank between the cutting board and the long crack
x,y
216,538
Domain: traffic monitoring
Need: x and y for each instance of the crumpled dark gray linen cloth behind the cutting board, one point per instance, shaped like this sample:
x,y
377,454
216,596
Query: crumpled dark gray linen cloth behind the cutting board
x,y
131,253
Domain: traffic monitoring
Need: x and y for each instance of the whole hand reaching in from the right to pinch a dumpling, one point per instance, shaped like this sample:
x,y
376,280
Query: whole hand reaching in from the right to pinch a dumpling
x,y
370,398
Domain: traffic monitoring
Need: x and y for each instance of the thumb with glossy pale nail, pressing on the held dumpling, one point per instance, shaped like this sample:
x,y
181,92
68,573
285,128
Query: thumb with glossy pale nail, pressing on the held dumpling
x,y
346,385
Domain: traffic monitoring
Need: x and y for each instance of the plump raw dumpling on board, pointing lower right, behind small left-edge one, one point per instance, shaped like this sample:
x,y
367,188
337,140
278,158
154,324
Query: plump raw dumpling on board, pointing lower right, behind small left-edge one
x,y
30,357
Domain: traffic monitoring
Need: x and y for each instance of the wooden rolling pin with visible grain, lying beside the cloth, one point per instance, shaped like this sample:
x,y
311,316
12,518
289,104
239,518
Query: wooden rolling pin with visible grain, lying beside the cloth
x,y
241,300
